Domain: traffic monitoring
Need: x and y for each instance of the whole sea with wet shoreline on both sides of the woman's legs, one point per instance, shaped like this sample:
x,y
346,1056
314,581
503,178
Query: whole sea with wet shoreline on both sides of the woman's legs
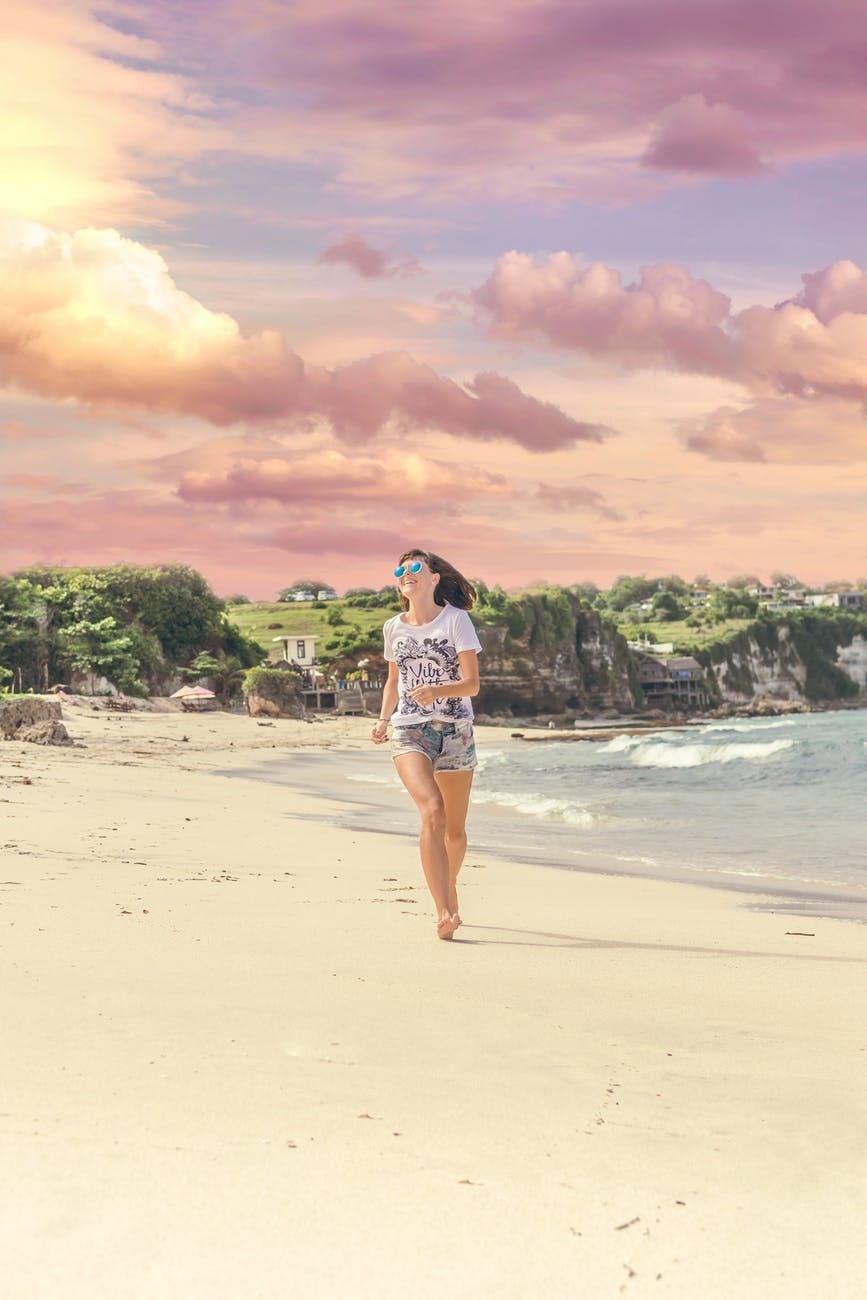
x,y
770,805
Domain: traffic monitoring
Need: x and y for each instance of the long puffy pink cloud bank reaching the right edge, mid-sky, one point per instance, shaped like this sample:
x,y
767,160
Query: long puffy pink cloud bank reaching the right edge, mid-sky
x,y
813,344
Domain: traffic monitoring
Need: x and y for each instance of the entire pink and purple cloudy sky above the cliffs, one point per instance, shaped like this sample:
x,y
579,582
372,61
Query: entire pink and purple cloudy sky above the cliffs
x,y
558,289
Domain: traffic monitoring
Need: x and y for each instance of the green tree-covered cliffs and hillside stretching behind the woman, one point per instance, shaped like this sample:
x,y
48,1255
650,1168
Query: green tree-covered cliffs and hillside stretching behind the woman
x,y
548,649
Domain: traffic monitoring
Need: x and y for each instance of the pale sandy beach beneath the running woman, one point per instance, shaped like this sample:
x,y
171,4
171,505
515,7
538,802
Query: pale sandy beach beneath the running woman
x,y
239,1064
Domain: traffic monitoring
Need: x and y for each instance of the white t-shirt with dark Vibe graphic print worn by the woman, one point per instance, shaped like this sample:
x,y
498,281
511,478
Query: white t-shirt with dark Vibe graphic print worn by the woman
x,y
428,656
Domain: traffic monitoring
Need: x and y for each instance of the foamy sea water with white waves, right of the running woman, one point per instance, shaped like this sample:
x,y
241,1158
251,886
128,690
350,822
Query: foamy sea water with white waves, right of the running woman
x,y
781,799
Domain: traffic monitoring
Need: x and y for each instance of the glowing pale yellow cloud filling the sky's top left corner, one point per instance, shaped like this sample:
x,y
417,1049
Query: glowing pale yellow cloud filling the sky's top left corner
x,y
94,125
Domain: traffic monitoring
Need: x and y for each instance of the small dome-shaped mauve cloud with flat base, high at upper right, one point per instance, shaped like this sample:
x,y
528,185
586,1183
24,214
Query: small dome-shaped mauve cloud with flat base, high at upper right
x,y
697,137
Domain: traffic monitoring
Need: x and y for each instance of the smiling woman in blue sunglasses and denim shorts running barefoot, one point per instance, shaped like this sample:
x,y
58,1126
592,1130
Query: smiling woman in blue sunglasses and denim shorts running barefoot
x,y
432,651
